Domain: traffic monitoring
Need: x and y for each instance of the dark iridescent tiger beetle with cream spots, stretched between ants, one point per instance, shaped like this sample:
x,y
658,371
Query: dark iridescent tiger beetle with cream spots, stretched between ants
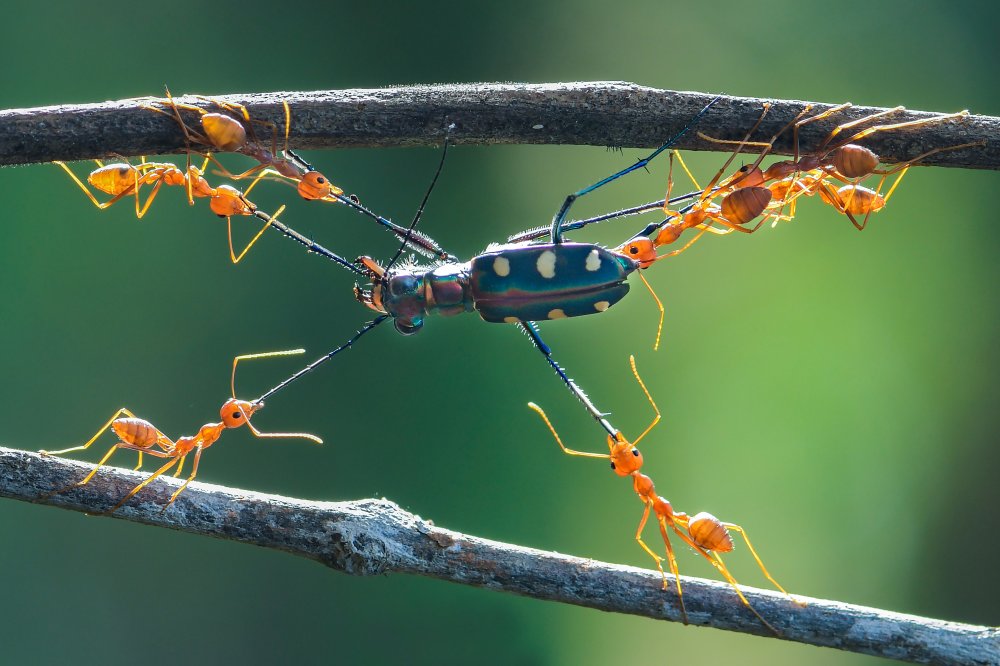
x,y
518,283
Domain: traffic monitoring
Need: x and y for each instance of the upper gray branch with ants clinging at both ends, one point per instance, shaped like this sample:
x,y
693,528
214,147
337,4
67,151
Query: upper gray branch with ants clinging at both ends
x,y
595,113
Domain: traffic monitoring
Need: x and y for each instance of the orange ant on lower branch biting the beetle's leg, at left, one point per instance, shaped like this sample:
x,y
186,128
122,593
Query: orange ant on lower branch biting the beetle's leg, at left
x,y
142,436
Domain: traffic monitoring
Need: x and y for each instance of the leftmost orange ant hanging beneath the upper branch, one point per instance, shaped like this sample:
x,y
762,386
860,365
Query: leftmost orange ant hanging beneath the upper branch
x,y
123,179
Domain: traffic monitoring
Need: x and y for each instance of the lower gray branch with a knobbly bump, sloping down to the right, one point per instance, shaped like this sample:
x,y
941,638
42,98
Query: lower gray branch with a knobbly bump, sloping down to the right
x,y
373,537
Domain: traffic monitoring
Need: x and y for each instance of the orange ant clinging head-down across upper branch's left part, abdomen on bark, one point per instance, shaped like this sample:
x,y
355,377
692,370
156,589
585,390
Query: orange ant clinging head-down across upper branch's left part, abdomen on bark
x,y
228,134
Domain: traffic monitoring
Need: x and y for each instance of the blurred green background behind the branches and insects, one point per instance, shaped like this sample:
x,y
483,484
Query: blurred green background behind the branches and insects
x,y
833,391
